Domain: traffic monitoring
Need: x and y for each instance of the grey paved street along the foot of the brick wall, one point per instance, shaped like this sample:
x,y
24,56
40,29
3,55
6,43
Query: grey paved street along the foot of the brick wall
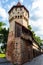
x,y
36,61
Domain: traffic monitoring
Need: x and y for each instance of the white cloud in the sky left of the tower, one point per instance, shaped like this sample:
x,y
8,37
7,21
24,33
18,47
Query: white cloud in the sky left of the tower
x,y
3,15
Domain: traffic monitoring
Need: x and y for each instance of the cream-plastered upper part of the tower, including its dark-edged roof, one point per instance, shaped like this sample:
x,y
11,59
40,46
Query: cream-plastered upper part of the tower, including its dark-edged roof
x,y
19,14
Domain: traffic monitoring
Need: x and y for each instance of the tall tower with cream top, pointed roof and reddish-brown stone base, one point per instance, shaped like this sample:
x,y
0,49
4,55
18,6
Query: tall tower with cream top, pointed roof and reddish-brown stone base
x,y
18,20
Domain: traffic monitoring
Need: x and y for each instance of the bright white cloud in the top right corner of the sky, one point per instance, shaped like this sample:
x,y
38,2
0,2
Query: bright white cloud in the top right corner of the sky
x,y
38,4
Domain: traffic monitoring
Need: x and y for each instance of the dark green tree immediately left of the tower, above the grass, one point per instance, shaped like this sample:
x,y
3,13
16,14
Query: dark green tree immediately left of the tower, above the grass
x,y
4,32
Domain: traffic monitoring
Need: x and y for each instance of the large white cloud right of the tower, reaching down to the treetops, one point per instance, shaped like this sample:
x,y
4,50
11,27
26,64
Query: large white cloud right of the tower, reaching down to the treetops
x,y
37,26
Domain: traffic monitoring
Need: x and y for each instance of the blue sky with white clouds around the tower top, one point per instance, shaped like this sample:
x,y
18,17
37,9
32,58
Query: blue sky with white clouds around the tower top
x,y
35,8
